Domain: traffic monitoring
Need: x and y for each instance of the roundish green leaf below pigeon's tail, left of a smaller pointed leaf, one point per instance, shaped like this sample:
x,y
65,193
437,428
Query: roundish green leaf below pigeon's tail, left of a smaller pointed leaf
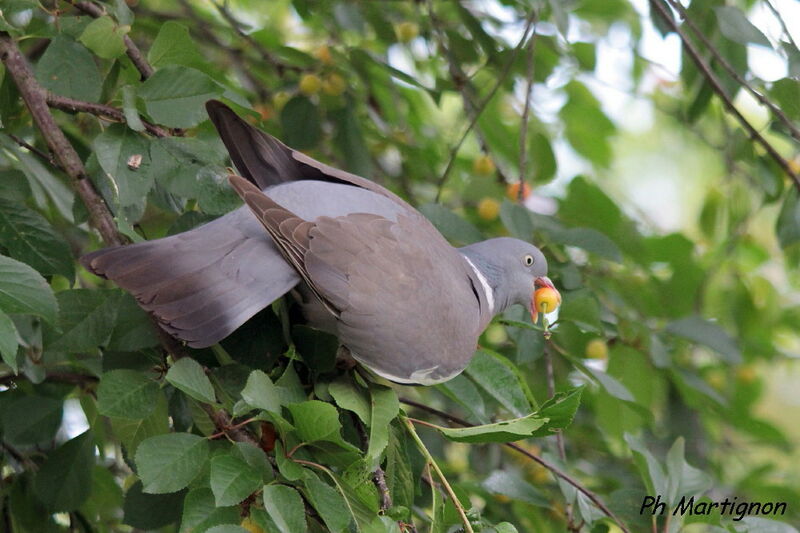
x,y
126,394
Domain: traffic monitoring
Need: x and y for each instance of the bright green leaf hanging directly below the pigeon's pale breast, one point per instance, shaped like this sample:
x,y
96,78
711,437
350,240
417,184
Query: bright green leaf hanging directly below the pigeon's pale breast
x,y
499,381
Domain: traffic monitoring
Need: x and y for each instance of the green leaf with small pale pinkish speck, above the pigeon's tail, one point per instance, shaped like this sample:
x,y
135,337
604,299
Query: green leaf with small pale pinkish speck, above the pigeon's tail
x,y
124,185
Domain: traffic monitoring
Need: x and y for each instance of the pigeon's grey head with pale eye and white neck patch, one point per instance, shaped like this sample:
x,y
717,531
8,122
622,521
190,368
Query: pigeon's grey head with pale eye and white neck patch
x,y
511,268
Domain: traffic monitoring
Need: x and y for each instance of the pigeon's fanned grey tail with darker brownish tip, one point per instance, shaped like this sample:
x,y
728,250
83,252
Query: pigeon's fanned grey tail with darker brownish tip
x,y
202,284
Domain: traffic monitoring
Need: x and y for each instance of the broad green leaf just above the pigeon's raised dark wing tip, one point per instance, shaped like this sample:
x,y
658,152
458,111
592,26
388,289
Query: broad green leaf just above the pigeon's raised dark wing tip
x,y
175,95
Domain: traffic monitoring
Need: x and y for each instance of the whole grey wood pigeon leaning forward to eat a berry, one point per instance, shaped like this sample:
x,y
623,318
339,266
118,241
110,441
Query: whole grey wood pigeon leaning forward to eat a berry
x,y
368,267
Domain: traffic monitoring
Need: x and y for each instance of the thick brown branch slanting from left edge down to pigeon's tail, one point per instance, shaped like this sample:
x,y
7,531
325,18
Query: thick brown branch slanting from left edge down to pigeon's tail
x,y
34,96
